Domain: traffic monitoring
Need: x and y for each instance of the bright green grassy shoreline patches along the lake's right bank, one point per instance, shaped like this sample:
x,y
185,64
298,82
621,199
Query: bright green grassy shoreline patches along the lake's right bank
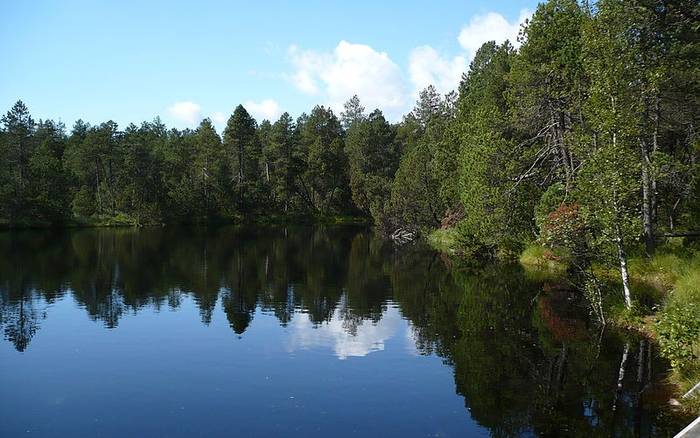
x,y
664,283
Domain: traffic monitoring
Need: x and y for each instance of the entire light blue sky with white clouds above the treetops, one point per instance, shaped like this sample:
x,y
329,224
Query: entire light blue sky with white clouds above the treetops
x,y
130,61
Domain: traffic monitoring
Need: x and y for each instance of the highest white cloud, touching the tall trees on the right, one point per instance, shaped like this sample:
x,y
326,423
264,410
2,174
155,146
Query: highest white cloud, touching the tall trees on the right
x,y
492,26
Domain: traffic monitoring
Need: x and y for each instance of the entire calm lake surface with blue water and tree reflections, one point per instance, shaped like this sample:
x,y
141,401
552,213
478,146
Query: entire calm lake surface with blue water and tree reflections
x,y
300,331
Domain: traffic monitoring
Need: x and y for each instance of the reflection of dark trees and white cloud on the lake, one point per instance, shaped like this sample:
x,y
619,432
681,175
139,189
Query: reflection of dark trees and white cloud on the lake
x,y
525,360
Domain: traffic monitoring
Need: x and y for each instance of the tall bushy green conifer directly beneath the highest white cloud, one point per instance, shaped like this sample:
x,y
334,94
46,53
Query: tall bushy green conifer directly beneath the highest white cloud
x,y
497,206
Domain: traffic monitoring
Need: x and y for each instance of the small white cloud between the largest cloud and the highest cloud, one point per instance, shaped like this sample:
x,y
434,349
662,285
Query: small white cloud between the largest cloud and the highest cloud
x,y
427,67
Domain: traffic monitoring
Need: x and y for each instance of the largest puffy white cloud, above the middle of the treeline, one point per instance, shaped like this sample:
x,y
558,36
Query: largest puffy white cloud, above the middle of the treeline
x,y
350,69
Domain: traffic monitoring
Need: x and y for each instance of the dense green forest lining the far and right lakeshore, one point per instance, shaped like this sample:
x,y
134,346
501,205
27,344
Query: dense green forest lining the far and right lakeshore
x,y
578,147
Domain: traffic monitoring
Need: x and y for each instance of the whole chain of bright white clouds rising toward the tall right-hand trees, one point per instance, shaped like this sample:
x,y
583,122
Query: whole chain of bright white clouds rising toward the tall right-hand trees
x,y
359,69
